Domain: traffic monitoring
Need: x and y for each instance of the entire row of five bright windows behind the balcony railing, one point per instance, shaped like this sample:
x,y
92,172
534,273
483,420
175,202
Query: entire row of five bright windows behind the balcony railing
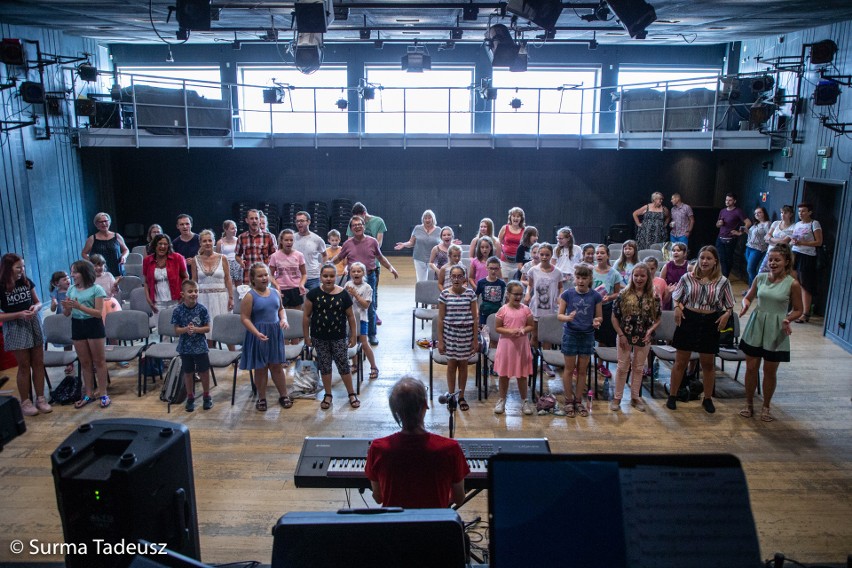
x,y
442,100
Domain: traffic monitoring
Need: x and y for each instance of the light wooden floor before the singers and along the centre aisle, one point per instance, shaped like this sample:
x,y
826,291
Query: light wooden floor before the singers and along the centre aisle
x,y
799,468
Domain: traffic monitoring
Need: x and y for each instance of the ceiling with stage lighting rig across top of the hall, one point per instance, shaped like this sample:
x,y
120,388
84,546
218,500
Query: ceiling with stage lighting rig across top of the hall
x,y
605,22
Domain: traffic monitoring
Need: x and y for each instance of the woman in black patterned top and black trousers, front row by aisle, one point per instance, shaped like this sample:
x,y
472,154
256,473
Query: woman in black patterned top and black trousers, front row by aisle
x,y
328,310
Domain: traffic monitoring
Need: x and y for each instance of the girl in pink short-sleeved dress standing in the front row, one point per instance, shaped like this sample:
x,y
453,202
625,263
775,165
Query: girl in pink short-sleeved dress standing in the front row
x,y
514,357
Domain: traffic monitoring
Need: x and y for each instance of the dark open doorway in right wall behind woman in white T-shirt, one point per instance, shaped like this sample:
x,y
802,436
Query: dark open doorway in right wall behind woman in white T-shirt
x,y
825,196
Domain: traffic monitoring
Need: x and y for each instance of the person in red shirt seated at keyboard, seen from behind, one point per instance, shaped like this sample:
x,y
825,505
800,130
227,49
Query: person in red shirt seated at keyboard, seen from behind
x,y
414,468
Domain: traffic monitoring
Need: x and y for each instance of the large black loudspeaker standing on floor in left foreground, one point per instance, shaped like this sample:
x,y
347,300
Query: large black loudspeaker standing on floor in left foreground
x,y
121,480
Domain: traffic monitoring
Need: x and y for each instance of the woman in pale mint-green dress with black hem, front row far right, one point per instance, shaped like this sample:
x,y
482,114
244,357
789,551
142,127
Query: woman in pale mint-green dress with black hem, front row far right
x,y
767,334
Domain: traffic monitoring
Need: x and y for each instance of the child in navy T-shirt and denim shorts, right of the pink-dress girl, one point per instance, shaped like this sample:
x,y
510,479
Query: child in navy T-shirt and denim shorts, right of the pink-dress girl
x,y
580,309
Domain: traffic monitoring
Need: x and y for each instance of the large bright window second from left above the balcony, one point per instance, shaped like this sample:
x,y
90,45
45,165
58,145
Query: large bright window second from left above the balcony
x,y
309,102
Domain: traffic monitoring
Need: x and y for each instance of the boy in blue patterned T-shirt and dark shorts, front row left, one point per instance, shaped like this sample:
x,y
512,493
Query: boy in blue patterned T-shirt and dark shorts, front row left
x,y
192,321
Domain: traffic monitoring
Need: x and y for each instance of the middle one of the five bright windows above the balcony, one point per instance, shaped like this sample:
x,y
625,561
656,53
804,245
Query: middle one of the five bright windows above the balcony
x,y
435,101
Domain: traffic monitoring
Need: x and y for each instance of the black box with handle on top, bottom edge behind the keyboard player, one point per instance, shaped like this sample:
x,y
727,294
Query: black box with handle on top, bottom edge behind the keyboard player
x,y
370,538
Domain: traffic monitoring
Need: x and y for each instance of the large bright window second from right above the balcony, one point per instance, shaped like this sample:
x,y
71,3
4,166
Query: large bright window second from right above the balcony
x,y
552,101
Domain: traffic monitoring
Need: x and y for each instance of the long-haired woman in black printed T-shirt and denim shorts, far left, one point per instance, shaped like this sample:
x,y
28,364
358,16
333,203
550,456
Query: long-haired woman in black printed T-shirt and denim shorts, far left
x,y
22,335
